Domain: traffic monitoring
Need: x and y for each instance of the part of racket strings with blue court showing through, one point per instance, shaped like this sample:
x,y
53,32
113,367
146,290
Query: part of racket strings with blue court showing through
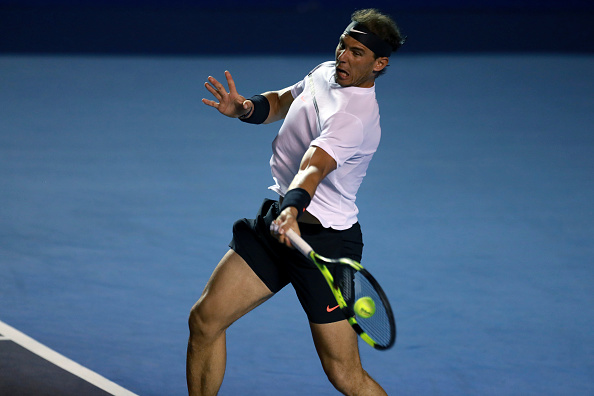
x,y
378,326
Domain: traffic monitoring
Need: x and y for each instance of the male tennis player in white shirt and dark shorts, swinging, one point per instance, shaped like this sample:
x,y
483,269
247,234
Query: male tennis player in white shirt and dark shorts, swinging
x,y
330,132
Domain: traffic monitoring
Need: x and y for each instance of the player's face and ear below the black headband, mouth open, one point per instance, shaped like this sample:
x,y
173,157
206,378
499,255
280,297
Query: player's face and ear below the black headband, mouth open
x,y
355,64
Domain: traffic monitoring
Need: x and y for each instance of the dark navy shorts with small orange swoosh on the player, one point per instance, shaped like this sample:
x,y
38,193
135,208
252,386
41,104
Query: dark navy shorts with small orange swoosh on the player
x,y
277,265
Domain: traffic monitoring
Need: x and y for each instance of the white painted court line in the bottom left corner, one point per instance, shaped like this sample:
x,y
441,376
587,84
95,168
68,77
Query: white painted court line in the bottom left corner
x,y
10,333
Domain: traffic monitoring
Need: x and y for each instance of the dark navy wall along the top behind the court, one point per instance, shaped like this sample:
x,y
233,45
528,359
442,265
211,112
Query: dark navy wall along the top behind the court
x,y
275,27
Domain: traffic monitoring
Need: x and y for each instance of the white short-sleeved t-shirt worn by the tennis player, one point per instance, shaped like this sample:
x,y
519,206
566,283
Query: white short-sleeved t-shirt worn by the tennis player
x,y
345,125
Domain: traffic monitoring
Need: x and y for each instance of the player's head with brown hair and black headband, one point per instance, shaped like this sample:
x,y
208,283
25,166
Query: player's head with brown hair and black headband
x,y
365,47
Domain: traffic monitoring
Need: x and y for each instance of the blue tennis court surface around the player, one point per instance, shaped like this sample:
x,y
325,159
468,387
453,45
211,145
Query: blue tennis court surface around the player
x,y
118,189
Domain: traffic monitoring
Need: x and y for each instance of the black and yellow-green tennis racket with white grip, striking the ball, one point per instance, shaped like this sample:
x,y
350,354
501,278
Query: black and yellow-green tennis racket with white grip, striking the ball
x,y
358,294
